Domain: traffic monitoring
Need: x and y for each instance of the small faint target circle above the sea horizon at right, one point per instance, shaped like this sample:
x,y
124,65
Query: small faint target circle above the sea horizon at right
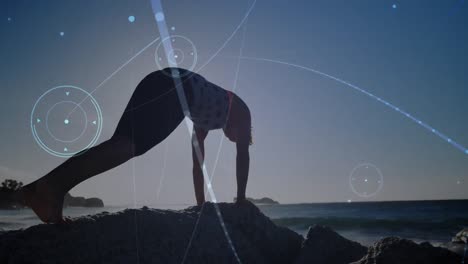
x,y
366,180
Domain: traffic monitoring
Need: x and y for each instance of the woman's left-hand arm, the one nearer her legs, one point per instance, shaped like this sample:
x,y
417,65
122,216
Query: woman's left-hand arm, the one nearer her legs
x,y
198,182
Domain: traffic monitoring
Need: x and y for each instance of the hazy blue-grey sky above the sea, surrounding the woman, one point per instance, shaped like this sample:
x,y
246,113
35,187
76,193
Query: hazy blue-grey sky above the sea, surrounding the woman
x,y
316,76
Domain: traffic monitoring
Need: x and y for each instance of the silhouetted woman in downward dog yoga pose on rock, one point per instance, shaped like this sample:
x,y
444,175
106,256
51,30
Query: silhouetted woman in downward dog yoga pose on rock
x,y
153,113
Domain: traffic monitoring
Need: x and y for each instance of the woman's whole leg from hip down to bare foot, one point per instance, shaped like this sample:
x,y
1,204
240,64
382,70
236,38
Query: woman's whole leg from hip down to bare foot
x,y
137,132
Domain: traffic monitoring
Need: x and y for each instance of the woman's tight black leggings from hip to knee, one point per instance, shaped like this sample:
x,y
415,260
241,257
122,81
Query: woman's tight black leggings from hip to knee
x,y
152,114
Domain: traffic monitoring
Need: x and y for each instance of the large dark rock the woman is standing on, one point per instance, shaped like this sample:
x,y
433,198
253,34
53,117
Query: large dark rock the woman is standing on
x,y
156,236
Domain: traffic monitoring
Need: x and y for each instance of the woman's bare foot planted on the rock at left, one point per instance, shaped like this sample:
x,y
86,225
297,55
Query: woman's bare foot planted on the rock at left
x,y
45,202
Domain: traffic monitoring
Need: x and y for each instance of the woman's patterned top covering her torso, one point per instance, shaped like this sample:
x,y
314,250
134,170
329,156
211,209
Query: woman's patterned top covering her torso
x,y
209,103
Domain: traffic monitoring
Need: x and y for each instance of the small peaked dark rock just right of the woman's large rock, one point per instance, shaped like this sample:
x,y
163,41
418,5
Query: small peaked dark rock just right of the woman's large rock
x,y
323,245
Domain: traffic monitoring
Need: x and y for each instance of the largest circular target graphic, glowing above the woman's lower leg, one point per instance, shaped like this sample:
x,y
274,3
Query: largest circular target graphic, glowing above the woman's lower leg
x,y
66,120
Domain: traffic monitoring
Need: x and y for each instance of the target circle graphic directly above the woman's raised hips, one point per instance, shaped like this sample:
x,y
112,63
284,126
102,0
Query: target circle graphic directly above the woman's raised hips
x,y
183,53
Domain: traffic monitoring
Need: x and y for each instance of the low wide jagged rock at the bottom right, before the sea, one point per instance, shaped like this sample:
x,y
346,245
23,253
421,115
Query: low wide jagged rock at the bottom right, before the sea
x,y
392,250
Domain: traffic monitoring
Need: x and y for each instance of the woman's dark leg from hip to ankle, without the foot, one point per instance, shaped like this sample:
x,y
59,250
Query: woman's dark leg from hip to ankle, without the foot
x,y
151,115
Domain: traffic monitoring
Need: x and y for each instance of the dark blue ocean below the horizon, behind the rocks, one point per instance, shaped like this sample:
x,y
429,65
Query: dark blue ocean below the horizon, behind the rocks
x,y
364,222
